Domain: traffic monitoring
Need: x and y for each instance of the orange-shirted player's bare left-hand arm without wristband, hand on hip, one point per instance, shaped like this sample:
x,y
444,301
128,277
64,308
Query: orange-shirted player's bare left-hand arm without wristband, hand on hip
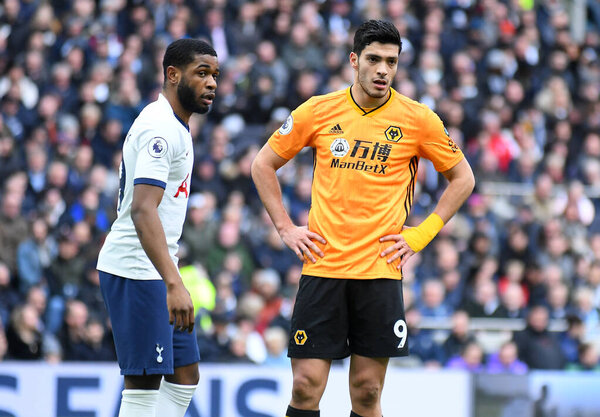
x,y
298,239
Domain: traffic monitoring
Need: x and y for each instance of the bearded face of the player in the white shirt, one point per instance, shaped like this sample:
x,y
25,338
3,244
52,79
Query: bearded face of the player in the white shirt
x,y
198,83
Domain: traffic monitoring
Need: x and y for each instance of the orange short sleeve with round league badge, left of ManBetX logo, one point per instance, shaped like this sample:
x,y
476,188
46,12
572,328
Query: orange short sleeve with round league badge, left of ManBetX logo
x,y
295,133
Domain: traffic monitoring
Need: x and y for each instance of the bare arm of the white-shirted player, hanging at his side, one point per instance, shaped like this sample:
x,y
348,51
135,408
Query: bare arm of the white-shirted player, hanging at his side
x,y
144,213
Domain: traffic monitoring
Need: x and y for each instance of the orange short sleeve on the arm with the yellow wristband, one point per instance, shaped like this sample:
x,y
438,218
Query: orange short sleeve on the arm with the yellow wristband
x,y
437,146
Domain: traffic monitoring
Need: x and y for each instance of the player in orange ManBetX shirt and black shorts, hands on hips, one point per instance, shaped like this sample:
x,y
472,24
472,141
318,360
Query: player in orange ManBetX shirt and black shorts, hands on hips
x,y
367,142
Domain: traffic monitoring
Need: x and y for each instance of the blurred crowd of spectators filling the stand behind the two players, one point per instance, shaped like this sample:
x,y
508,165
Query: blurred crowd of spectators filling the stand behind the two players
x,y
516,82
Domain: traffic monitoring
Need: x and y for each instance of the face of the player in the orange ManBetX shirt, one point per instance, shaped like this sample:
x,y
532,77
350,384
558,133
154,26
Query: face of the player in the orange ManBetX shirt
x,y
375,69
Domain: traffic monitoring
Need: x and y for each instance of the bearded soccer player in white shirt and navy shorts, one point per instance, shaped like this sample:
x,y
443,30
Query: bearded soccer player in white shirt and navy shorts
x,y
151,312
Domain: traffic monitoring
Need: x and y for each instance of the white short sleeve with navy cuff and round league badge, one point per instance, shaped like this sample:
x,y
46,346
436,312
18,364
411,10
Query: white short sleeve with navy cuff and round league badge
x,y
154,158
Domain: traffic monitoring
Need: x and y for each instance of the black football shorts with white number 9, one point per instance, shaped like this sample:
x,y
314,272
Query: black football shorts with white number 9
x,y
335,317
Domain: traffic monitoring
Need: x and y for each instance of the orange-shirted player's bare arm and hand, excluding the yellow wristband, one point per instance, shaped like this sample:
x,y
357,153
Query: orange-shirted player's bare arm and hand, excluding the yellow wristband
x,y
460,185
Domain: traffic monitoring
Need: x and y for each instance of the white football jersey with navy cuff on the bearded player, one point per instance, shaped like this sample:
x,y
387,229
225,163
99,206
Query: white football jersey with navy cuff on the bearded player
x,y
158,150
